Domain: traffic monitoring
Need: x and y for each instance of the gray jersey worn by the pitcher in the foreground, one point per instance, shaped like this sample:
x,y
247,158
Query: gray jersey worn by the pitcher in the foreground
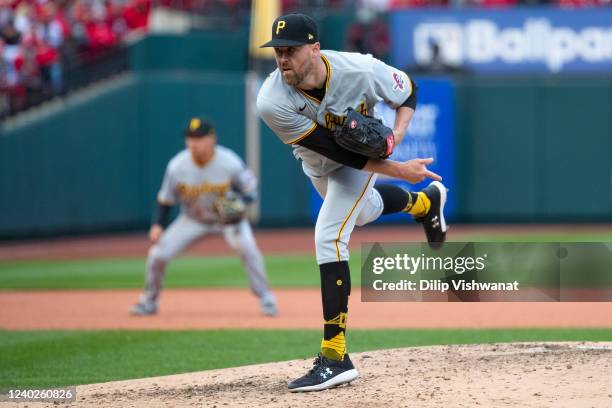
x,y
353,80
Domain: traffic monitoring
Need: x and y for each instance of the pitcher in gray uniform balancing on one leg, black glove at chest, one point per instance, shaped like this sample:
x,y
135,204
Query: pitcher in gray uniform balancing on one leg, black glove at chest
x,y
304,101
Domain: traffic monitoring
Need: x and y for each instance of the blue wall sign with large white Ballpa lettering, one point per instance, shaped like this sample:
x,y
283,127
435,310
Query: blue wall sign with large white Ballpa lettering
x,y
546,40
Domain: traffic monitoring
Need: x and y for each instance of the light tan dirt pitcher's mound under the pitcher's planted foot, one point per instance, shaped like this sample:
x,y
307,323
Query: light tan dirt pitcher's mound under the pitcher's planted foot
x,y
510,375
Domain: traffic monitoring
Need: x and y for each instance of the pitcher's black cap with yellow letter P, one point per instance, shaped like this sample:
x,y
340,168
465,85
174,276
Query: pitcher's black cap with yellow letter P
x,y
292,30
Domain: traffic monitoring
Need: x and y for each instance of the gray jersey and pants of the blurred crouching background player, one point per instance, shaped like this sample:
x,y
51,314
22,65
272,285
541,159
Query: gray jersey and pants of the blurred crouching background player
x,y
197,189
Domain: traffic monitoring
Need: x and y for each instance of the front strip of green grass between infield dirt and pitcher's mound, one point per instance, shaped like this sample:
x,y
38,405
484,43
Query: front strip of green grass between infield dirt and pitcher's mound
x,y
56,358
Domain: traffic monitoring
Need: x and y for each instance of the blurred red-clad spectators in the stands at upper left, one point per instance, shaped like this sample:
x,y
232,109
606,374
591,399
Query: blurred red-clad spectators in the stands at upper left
x,y
38,38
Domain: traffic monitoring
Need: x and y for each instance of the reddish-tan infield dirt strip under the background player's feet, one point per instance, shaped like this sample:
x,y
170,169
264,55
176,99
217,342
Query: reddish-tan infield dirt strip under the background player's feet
x,y
299,308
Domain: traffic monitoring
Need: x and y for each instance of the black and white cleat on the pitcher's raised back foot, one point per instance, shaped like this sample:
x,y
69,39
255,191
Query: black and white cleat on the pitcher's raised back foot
x,y
434,223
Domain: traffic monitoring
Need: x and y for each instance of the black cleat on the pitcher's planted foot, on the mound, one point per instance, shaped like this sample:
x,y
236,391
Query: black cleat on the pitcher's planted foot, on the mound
x,y
324,374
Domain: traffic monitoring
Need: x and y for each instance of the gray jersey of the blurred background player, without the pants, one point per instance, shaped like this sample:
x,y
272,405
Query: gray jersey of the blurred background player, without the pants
x,y
197,188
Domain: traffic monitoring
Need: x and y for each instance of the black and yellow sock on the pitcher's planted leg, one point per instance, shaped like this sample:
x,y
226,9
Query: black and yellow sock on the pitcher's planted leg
x,y
335,292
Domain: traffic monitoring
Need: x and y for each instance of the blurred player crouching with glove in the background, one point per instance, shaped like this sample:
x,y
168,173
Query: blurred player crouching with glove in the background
x,y
214,188
